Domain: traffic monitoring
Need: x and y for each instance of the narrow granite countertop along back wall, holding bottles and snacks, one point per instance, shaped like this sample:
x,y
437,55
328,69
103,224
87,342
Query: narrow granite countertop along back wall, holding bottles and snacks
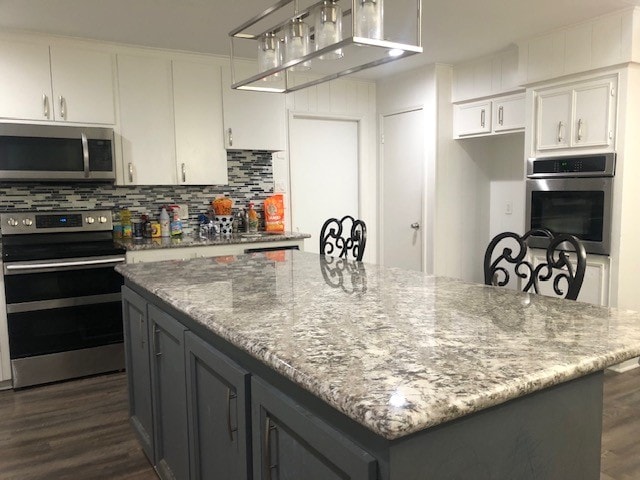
x,y
195,241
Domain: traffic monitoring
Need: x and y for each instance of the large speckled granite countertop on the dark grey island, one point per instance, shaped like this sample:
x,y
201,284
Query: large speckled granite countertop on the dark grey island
x,y
397,351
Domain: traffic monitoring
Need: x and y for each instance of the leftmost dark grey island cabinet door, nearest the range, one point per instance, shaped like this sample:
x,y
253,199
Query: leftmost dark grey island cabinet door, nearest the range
x,y
136,343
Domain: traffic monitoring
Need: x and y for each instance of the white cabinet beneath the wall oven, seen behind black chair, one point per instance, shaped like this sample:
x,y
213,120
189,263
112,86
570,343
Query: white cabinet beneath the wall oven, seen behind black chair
x,y
595,287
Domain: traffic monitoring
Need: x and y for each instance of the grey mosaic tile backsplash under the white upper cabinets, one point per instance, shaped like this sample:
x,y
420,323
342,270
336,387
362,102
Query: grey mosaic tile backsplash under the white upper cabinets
x,y
250,179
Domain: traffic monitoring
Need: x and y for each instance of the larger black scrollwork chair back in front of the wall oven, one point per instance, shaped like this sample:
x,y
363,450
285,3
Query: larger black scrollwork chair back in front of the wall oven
x,y
558,265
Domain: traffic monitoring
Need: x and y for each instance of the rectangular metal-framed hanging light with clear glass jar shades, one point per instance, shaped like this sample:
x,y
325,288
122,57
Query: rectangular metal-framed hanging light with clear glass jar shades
x,y
347,36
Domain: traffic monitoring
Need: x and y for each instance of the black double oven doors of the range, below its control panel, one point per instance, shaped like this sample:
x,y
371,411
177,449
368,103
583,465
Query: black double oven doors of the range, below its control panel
x,y
62,305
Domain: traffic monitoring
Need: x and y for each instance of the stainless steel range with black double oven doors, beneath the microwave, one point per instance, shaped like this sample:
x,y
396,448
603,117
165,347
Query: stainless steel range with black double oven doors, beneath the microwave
x,y
63,295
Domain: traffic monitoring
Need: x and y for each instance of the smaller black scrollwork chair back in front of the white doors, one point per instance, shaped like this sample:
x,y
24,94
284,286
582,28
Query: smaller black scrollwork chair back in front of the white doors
x,y
339,238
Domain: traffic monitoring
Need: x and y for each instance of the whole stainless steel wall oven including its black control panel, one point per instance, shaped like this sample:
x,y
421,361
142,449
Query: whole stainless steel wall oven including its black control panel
x,y
573,195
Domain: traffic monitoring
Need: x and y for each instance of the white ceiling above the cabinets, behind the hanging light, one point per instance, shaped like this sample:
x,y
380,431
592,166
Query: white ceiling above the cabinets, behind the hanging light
x,y
453,30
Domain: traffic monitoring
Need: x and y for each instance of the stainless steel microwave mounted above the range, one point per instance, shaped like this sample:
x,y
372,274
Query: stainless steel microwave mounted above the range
x,y
56,153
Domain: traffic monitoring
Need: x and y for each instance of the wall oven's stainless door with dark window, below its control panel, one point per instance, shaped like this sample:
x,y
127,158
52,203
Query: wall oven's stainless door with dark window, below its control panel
x,y
577,206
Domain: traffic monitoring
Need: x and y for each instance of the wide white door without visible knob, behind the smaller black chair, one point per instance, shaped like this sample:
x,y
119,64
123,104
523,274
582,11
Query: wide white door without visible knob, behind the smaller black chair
x,y
324,173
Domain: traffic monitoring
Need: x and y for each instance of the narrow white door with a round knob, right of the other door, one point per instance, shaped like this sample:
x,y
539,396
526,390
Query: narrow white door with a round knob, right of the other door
x,y
402,189
